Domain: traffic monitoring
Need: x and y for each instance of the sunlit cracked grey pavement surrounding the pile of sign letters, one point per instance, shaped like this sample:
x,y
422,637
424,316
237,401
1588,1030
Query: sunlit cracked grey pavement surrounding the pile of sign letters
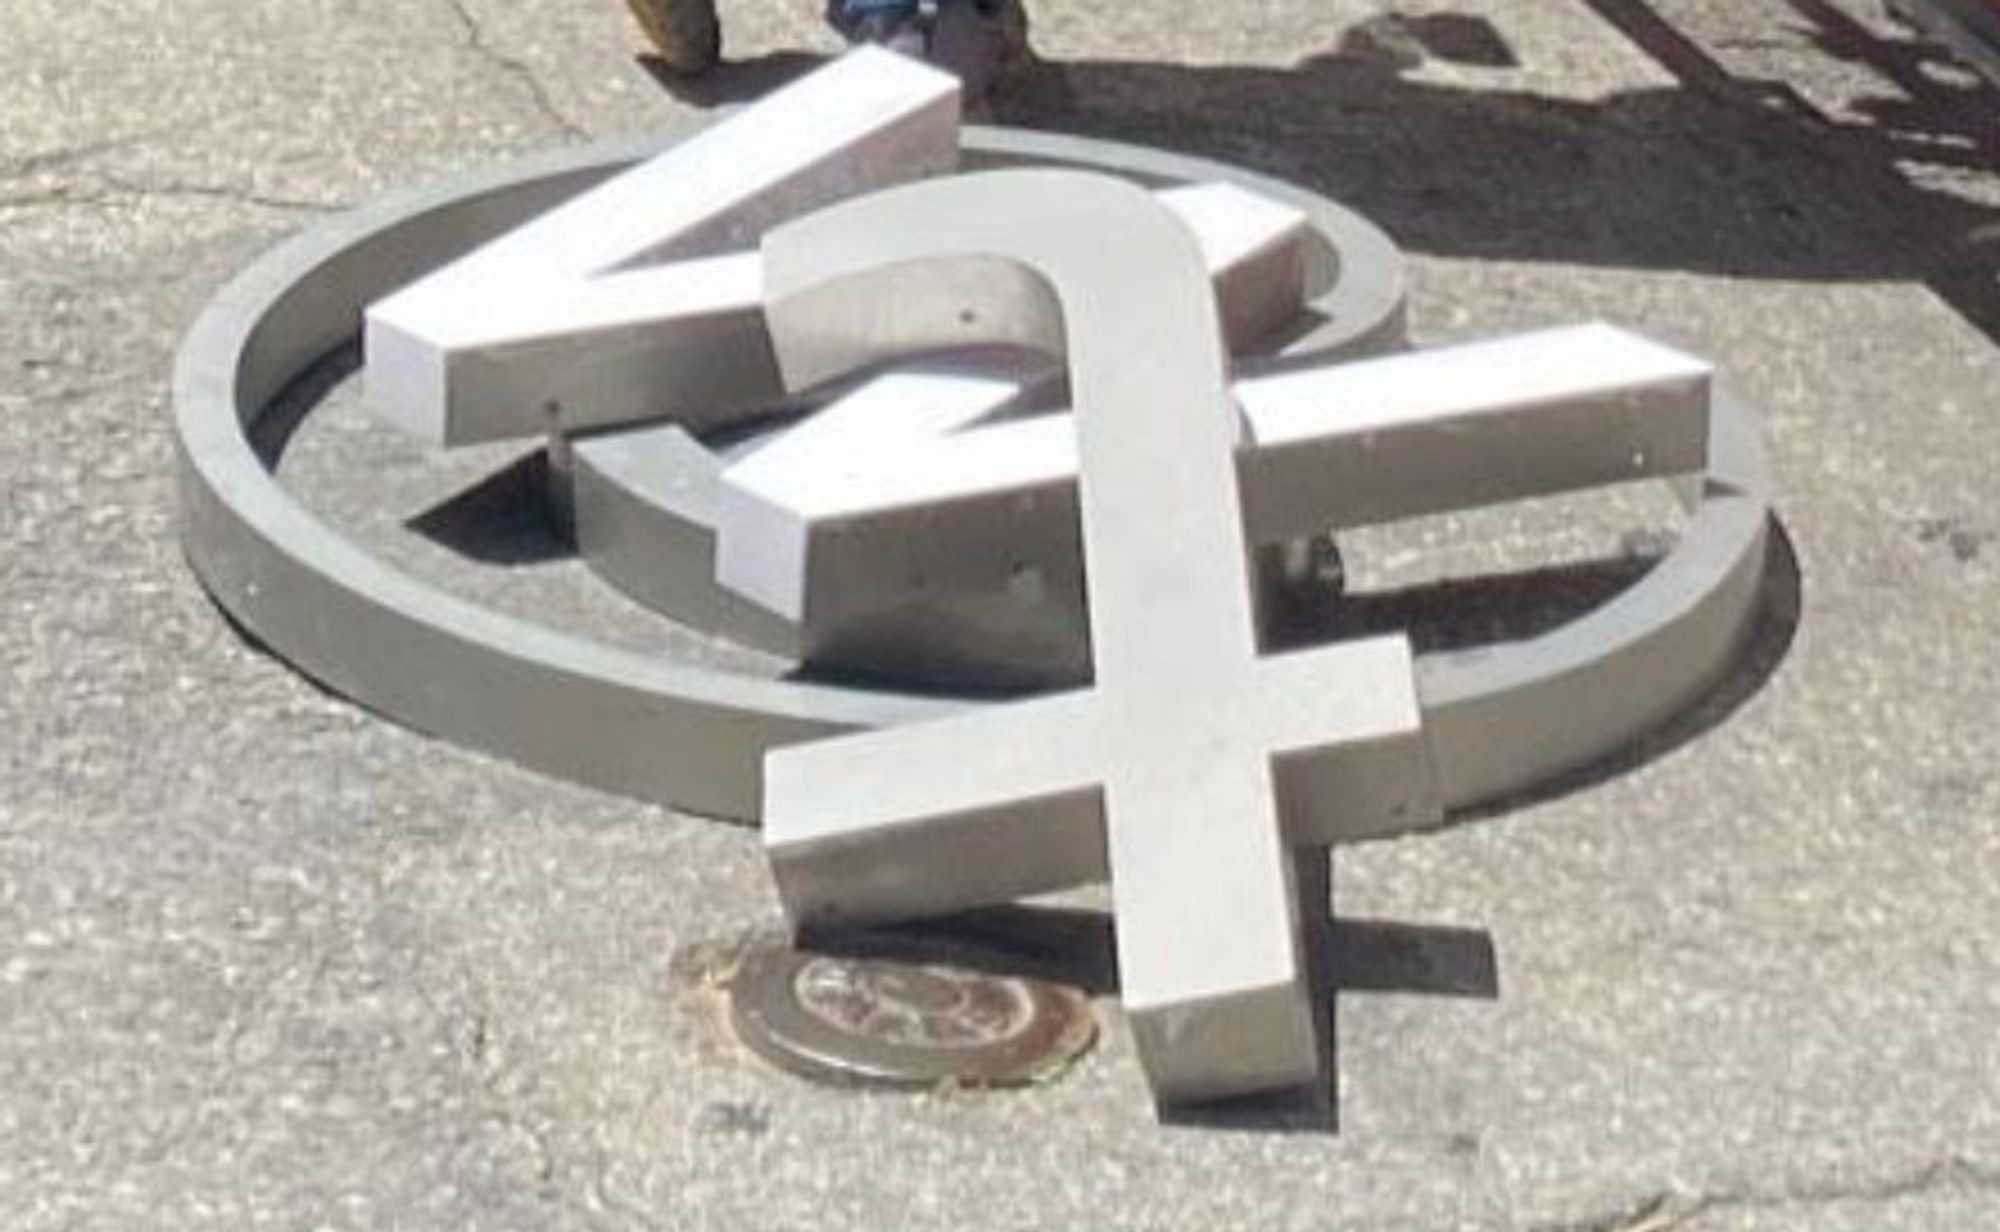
x,y
273,963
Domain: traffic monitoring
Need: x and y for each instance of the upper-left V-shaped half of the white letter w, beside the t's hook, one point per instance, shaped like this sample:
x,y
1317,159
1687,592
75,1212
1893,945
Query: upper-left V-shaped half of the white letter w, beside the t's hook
x,y
573,321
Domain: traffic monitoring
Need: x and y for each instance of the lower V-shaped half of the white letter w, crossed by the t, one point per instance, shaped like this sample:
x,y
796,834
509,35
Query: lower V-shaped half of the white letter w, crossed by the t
x,y
833,519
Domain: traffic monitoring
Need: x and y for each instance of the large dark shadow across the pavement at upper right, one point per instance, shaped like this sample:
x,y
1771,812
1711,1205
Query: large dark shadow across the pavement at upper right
x,y
1715,175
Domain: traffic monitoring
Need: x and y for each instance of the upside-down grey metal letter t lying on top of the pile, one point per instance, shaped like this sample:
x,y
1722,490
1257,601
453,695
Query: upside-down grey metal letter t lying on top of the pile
x,y
1193,767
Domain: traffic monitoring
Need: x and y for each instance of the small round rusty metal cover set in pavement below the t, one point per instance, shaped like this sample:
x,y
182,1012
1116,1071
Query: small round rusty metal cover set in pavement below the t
x,y
895,1013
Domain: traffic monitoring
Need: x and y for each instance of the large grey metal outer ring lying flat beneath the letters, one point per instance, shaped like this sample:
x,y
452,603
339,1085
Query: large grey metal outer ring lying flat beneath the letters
x,y
1501,719
